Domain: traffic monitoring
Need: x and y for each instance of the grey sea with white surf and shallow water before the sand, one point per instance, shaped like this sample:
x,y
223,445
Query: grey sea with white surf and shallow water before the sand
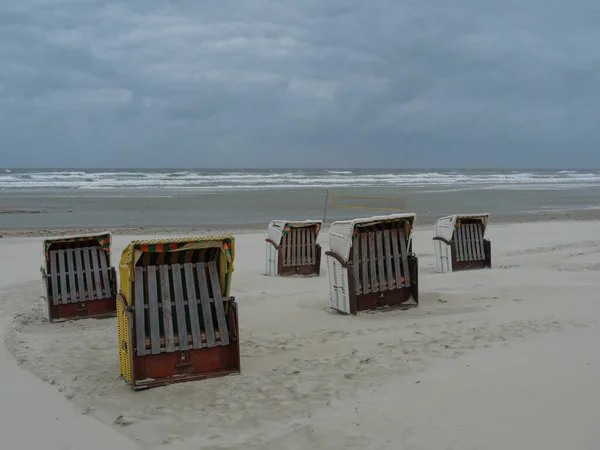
x,y
210,198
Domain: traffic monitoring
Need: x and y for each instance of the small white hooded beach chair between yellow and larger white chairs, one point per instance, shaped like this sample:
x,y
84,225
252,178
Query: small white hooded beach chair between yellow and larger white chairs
x,y
292,248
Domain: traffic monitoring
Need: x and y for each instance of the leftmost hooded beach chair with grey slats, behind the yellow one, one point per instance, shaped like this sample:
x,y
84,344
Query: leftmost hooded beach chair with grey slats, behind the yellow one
x,y
78,279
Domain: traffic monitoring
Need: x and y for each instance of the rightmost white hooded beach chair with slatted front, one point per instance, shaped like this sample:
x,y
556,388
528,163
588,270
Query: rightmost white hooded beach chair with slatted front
x,y
460,243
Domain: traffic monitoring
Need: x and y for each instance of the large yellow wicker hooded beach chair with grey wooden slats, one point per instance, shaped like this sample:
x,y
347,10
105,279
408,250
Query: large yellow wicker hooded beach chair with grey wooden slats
x,y
176,319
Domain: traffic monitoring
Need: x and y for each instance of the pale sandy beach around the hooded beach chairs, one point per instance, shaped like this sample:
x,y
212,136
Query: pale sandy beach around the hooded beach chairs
x,y
492,359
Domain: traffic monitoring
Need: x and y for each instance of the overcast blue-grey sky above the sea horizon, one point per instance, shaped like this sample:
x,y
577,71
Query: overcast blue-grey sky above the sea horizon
x,y
300,83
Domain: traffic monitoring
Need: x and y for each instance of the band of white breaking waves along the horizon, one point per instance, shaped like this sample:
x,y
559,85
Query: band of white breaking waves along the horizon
x,y
278,179
